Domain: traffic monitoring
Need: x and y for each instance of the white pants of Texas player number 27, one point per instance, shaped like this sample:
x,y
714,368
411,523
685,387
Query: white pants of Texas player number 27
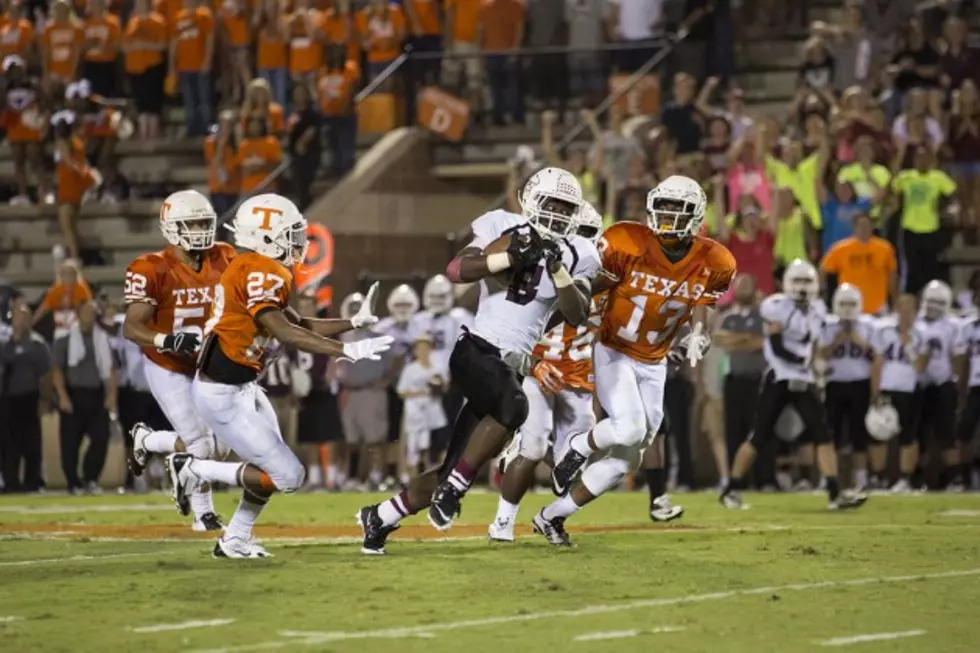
x,y
243,419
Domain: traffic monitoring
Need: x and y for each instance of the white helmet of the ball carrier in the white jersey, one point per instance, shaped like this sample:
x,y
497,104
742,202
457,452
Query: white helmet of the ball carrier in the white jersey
x,y
551,201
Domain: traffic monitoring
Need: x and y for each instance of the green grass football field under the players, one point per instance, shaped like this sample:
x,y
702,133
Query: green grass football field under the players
x,y
117,573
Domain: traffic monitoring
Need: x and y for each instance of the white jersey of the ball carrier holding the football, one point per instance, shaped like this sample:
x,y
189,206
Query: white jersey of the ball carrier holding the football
x,y
514,318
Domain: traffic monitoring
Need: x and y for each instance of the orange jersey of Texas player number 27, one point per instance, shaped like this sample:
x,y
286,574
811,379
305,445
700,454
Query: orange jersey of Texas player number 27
x,y
251,284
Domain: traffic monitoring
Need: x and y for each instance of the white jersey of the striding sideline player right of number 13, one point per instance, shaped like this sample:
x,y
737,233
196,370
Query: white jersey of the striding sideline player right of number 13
x,y
800,331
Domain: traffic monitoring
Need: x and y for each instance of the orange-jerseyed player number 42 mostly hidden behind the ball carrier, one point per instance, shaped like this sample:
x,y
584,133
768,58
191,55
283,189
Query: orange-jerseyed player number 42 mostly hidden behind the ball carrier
x,y
559,396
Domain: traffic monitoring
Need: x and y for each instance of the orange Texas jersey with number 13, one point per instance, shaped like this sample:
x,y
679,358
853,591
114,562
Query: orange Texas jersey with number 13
x,y
655,296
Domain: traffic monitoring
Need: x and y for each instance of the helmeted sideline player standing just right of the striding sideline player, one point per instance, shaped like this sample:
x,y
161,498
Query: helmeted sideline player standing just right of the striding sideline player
x,y
845,344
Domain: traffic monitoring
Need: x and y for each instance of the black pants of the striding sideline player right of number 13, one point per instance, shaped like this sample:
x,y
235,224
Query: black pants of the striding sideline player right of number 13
x,y
774,397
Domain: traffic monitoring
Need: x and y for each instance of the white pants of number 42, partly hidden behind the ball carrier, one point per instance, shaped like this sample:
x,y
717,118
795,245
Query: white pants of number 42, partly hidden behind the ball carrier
x,y
557,416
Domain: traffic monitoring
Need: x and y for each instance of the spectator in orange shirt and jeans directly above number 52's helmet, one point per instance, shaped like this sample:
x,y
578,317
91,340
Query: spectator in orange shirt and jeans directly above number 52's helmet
x,y
191,57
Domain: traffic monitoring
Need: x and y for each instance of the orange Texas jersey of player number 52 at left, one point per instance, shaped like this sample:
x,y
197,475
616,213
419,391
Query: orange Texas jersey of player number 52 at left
x,y
181,296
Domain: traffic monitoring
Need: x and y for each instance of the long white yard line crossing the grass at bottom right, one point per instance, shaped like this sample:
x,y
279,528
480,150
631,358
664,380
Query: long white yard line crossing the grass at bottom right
x,y
317,638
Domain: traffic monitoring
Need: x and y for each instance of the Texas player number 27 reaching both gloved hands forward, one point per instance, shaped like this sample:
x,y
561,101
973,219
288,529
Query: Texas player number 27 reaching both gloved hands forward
x,y
250,308
